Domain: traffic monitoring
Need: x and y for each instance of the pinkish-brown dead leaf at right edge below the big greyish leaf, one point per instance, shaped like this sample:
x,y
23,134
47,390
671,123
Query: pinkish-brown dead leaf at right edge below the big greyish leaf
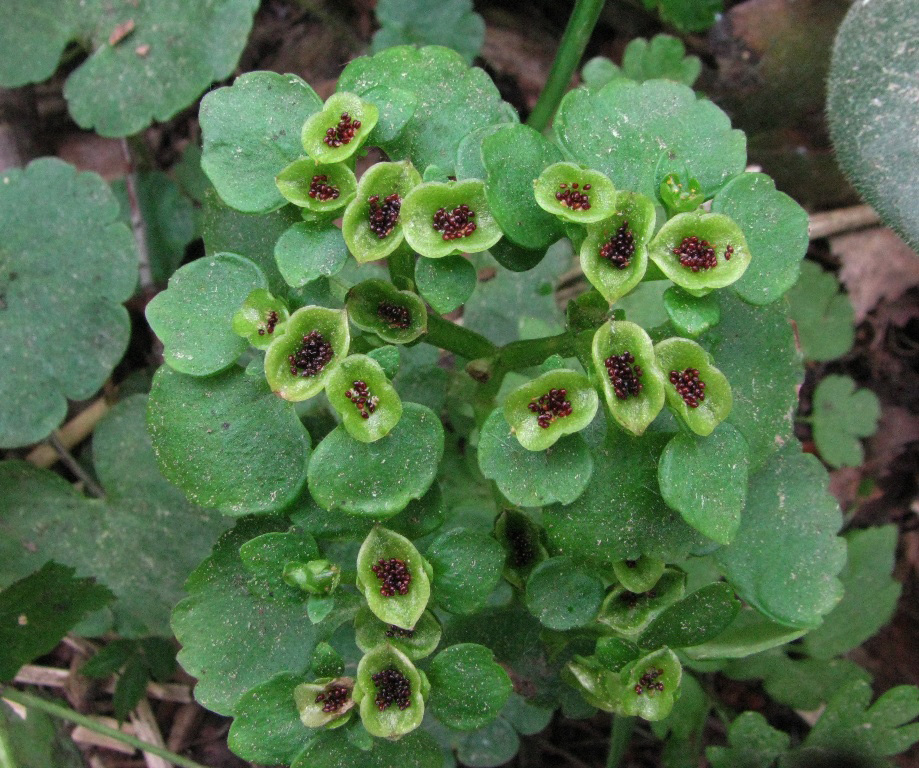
x,y
876,266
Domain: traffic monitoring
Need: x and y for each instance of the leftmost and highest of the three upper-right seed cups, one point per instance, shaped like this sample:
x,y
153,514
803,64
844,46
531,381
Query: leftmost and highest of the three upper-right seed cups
x,y
575,193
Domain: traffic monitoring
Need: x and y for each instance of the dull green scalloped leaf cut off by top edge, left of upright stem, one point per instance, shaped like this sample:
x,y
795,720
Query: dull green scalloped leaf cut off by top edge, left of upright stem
x,y
451,23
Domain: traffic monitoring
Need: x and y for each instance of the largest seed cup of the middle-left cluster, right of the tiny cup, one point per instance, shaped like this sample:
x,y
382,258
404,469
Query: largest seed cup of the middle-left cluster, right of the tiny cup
x,y
299,363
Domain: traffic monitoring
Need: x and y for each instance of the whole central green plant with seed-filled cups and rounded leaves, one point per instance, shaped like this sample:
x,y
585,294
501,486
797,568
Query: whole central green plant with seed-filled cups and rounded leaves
x,y
652,443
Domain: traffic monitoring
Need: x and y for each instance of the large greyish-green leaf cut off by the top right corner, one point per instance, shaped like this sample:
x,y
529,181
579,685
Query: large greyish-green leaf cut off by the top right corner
x,y
871,108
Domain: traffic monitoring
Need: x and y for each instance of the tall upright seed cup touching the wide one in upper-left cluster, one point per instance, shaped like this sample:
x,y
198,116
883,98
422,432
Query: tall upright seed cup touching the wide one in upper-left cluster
x,y
372,225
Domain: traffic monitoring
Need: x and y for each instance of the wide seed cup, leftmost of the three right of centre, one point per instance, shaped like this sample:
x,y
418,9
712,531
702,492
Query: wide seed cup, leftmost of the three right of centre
x,y
560,402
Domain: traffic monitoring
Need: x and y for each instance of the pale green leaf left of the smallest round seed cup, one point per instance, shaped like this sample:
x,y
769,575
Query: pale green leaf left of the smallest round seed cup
x,y
194,316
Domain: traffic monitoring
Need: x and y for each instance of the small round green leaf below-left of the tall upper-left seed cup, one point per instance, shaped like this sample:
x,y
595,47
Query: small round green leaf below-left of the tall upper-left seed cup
x,y
306,252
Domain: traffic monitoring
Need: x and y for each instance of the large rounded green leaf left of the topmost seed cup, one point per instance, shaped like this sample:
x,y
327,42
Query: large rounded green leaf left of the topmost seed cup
x,y
251,132
